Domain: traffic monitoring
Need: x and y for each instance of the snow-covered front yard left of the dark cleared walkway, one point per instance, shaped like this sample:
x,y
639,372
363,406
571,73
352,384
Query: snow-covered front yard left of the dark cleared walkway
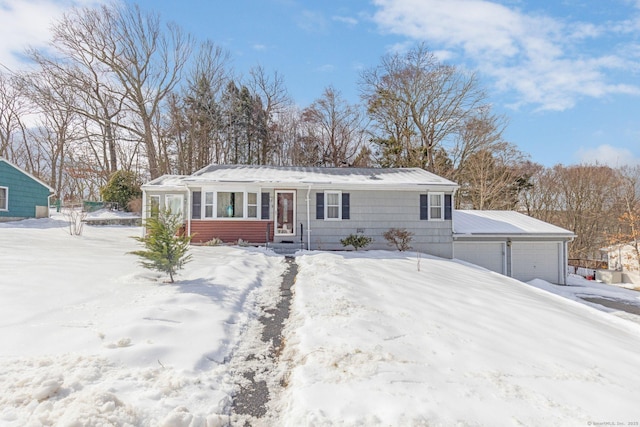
x,y
91,338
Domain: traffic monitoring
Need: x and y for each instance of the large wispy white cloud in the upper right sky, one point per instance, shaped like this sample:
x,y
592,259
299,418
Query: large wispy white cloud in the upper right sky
x,y
535,56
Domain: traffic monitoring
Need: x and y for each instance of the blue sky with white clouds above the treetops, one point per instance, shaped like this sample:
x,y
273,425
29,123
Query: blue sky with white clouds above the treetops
x,y
566,73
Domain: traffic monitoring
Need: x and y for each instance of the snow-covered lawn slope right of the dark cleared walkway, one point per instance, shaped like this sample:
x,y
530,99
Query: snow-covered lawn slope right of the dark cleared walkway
x,y
374,341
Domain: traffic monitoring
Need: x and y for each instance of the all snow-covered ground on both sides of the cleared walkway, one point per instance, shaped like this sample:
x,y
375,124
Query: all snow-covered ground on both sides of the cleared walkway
x,y
375,338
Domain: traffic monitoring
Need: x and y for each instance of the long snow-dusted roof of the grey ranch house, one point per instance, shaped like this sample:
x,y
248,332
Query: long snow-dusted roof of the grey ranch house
x,y
306,175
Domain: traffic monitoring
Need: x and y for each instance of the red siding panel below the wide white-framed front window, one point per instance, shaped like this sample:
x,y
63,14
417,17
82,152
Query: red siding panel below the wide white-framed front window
x,y
231,231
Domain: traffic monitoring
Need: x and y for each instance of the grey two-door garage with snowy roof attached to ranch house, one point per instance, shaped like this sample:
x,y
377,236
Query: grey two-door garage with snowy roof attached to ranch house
x,y
512,244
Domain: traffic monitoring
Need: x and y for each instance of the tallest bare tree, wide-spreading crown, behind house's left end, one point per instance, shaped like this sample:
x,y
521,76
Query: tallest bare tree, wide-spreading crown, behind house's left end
x,y
143,58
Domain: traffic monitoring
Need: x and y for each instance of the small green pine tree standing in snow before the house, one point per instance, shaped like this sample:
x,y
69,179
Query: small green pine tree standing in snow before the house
x,y
166,251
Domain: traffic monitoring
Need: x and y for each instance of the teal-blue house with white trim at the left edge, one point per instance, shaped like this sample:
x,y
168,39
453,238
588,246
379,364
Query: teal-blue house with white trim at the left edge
x,y
21,194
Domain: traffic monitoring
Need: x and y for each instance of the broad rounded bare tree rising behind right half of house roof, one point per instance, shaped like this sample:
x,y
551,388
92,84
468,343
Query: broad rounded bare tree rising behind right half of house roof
x,y
417,103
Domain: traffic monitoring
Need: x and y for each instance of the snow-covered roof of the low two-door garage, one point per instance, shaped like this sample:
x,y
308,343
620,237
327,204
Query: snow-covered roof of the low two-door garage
x,y
503,223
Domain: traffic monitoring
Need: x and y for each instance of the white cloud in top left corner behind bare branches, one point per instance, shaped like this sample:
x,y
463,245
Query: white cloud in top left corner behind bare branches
x,y
26,23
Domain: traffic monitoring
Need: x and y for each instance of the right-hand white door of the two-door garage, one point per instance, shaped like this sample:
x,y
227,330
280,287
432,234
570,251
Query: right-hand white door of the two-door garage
x,y
535,260
